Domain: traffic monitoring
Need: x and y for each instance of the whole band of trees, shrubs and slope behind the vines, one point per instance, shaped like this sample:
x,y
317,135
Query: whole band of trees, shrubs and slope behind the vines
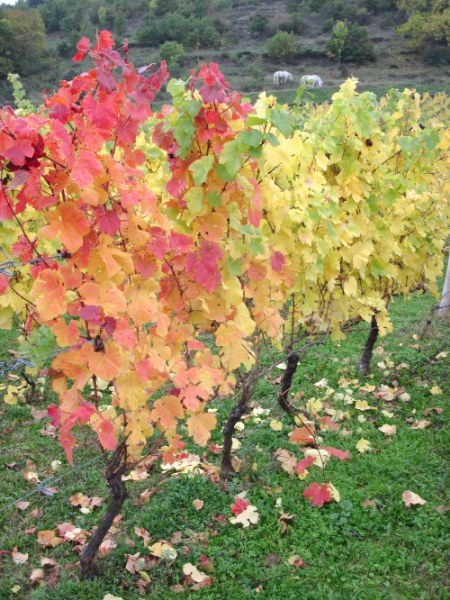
x,y
388,42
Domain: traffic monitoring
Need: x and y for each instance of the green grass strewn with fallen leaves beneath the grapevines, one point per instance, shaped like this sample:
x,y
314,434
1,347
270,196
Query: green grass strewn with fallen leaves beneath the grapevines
x,y
382,550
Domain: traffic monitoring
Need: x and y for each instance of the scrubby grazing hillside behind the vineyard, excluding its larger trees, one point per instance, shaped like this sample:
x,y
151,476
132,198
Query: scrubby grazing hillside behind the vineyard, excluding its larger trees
x,y
234,34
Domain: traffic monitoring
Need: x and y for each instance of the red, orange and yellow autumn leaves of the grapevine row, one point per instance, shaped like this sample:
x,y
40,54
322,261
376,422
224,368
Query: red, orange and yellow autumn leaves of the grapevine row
x,y
162,251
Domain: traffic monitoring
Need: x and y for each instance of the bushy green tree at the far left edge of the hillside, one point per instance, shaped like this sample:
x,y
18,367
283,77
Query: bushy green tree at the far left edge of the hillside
x,y
22,39
